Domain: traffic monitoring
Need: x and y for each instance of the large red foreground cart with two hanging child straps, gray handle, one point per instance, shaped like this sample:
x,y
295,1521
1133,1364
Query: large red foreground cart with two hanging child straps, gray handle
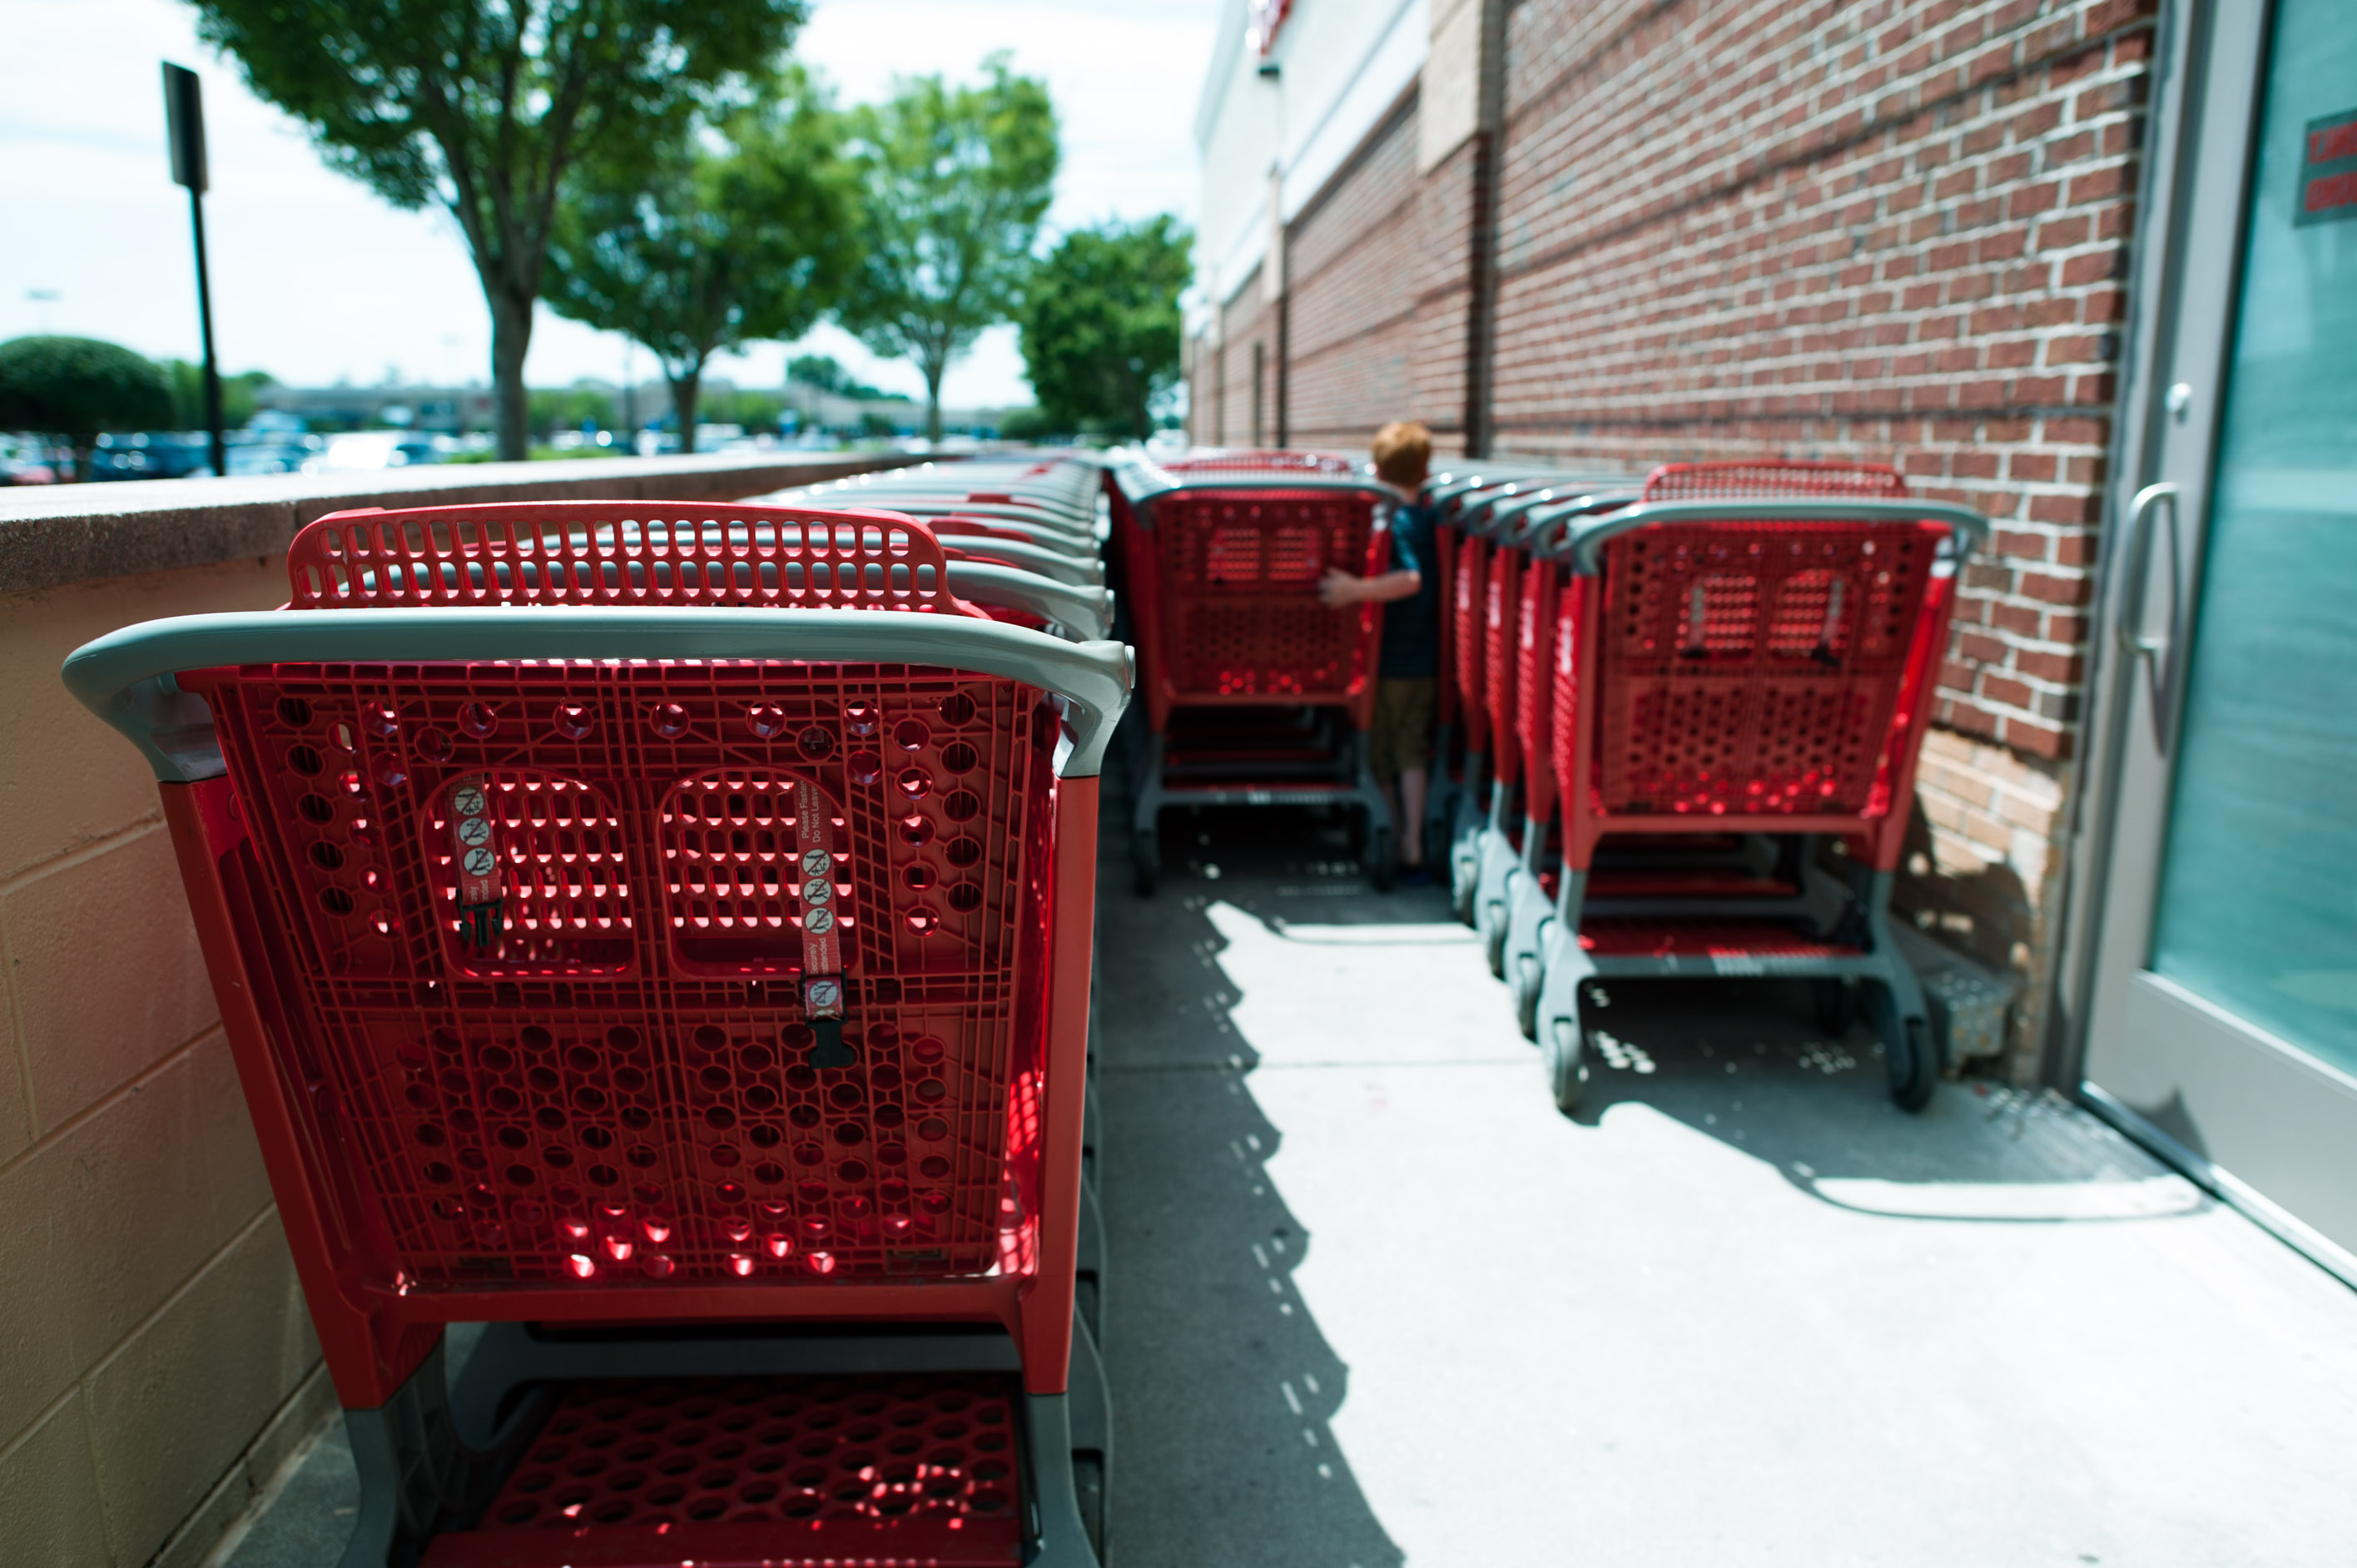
x,y
666,940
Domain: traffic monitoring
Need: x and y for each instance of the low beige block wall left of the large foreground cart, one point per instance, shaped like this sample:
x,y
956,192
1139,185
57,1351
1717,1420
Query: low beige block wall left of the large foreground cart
x,y
157,1362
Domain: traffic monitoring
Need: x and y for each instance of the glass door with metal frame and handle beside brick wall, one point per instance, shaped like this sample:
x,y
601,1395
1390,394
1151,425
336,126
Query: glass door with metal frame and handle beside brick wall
x,y
2224,1013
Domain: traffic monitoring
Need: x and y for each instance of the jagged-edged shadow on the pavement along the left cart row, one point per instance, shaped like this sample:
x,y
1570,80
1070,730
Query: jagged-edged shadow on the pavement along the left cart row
x,y
1222,1383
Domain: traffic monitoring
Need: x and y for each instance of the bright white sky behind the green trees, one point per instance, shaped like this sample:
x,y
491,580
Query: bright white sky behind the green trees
x,y
317,279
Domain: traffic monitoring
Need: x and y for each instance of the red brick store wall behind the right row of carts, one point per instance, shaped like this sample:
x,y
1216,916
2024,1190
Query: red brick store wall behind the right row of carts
x,y
1731,228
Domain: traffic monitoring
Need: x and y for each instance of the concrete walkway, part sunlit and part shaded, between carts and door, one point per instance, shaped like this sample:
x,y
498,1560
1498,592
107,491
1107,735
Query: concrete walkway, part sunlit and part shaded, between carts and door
x,y
1373,1300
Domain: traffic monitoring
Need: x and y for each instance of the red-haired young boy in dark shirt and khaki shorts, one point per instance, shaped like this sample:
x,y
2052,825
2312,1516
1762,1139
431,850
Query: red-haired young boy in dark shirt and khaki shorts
x,y
1411,664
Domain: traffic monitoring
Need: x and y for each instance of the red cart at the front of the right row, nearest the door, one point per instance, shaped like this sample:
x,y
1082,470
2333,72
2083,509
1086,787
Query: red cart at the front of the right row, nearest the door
x,y
1748,652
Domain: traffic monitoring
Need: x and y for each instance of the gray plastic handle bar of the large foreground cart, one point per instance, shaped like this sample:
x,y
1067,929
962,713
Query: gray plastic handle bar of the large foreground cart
x,y
128,678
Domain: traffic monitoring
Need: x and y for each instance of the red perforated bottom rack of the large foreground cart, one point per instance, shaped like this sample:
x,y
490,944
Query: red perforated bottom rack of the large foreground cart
x,y
847,1470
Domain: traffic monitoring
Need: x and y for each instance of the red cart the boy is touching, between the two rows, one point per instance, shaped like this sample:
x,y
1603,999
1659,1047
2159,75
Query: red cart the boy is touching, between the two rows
x,y
1255,692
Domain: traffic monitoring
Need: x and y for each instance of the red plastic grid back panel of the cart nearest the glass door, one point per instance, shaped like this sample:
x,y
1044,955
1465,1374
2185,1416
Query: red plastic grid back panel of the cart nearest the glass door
x,y
1757,668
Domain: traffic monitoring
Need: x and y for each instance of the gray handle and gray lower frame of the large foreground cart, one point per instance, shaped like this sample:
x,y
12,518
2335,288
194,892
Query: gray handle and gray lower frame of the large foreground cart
x,y
433,1456
